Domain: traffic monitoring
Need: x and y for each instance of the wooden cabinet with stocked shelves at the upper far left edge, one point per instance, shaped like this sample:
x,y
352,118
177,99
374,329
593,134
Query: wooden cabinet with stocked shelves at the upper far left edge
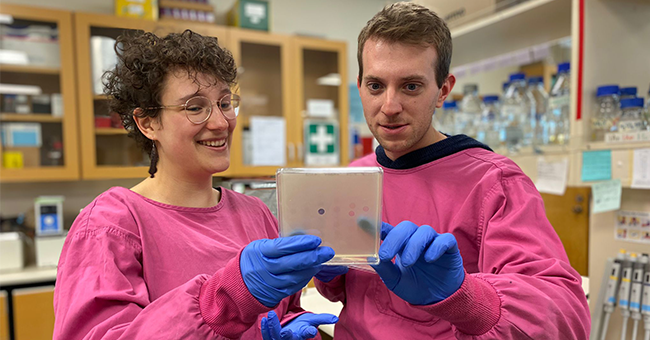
x,y
57,158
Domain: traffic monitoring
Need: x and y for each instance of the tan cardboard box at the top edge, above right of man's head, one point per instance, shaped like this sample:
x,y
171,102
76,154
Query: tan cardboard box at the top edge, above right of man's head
x,y
459,12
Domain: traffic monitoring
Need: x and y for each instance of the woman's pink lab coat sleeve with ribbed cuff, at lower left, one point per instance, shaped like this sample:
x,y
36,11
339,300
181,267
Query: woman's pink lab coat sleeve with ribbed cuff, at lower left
x,y
101,294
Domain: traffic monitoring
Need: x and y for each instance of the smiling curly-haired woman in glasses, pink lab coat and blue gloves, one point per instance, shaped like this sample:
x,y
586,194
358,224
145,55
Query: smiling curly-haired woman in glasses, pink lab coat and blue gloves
x,y
174,257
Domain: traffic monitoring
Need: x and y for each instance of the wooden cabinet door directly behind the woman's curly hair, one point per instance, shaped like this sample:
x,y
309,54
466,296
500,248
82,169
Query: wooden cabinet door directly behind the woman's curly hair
x,y
107,152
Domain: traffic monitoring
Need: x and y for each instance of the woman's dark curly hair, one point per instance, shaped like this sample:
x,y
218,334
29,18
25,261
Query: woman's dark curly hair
x,y
144,60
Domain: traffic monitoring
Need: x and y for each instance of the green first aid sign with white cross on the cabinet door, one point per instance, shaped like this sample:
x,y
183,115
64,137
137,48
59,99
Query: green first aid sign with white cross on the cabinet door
x,y
322,141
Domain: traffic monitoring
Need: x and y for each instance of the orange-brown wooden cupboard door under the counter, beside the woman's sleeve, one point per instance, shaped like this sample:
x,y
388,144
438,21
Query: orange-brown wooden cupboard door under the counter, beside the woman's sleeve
x,y
33,313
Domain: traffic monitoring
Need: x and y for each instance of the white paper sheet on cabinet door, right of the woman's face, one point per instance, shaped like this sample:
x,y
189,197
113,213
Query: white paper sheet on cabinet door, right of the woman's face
x,y
268,139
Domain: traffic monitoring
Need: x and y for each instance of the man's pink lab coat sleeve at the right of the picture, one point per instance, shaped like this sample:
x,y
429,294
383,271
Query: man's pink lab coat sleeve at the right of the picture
x,y
525,288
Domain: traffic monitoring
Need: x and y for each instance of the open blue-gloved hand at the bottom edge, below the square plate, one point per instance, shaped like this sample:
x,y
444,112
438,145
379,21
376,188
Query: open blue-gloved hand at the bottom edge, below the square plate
x,y
301,328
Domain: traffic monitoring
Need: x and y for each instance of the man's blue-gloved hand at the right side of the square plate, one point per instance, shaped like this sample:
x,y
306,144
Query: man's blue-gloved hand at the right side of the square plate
x,y
428,267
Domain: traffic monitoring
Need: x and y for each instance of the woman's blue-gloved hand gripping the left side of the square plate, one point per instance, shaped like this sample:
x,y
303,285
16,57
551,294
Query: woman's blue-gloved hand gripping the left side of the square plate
x,y
275,269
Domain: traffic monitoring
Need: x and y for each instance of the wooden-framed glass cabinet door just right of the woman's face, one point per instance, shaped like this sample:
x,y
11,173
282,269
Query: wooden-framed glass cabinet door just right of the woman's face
x,y
267,88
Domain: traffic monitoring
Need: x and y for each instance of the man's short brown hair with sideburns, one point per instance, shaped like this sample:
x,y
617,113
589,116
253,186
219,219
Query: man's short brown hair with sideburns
x,y
412,24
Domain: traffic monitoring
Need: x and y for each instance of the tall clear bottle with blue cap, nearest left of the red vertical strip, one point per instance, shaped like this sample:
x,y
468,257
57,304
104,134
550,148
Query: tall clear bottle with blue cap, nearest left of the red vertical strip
x,y
559,119
